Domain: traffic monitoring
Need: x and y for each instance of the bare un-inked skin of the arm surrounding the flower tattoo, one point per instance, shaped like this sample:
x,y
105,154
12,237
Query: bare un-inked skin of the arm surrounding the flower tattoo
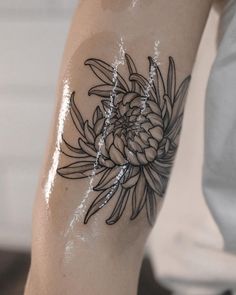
x,y
69,257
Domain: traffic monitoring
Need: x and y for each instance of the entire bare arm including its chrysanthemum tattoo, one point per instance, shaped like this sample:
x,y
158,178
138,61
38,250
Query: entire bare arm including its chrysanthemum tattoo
x,y
122,90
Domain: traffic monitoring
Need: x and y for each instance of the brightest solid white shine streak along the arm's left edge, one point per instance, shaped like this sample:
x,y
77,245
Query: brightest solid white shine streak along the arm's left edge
x,y
60,129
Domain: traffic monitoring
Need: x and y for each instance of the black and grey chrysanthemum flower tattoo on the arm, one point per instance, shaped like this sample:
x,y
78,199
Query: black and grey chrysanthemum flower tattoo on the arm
x,y
131,140
